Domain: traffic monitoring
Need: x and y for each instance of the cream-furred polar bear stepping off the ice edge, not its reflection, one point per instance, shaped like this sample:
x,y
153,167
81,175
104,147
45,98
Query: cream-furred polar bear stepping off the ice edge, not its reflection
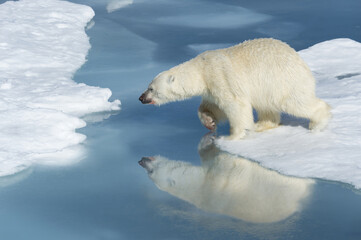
x,y
262,74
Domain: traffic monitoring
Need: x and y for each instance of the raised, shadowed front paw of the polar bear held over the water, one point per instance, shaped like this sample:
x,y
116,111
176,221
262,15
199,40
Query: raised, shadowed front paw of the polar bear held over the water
x,y
209,114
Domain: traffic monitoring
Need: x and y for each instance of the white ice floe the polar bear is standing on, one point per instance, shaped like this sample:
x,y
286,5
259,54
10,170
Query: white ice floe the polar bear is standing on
x,y
334,154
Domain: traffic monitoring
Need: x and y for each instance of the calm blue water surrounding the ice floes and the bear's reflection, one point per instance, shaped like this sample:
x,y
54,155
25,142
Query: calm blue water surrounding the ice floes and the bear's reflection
x,y
108,195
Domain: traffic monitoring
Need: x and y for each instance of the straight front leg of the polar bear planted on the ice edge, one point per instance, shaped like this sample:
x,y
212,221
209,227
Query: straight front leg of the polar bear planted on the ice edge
x,y
240,117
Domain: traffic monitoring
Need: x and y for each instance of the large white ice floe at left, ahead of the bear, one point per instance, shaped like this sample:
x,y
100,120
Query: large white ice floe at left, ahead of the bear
x,y
42,44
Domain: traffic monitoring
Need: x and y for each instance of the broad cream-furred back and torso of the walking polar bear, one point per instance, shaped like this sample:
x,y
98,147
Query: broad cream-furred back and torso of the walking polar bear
x,y
265,71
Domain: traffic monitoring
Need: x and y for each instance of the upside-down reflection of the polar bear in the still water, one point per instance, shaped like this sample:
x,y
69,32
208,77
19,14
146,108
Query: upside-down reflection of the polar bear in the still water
x,y
229,185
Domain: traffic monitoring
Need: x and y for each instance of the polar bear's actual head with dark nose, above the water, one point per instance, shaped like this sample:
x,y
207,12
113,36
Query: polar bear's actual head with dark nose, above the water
x,y
164,88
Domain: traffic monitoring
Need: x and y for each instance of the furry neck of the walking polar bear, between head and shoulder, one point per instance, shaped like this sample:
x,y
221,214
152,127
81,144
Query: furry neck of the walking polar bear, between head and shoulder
x,y
190,78
